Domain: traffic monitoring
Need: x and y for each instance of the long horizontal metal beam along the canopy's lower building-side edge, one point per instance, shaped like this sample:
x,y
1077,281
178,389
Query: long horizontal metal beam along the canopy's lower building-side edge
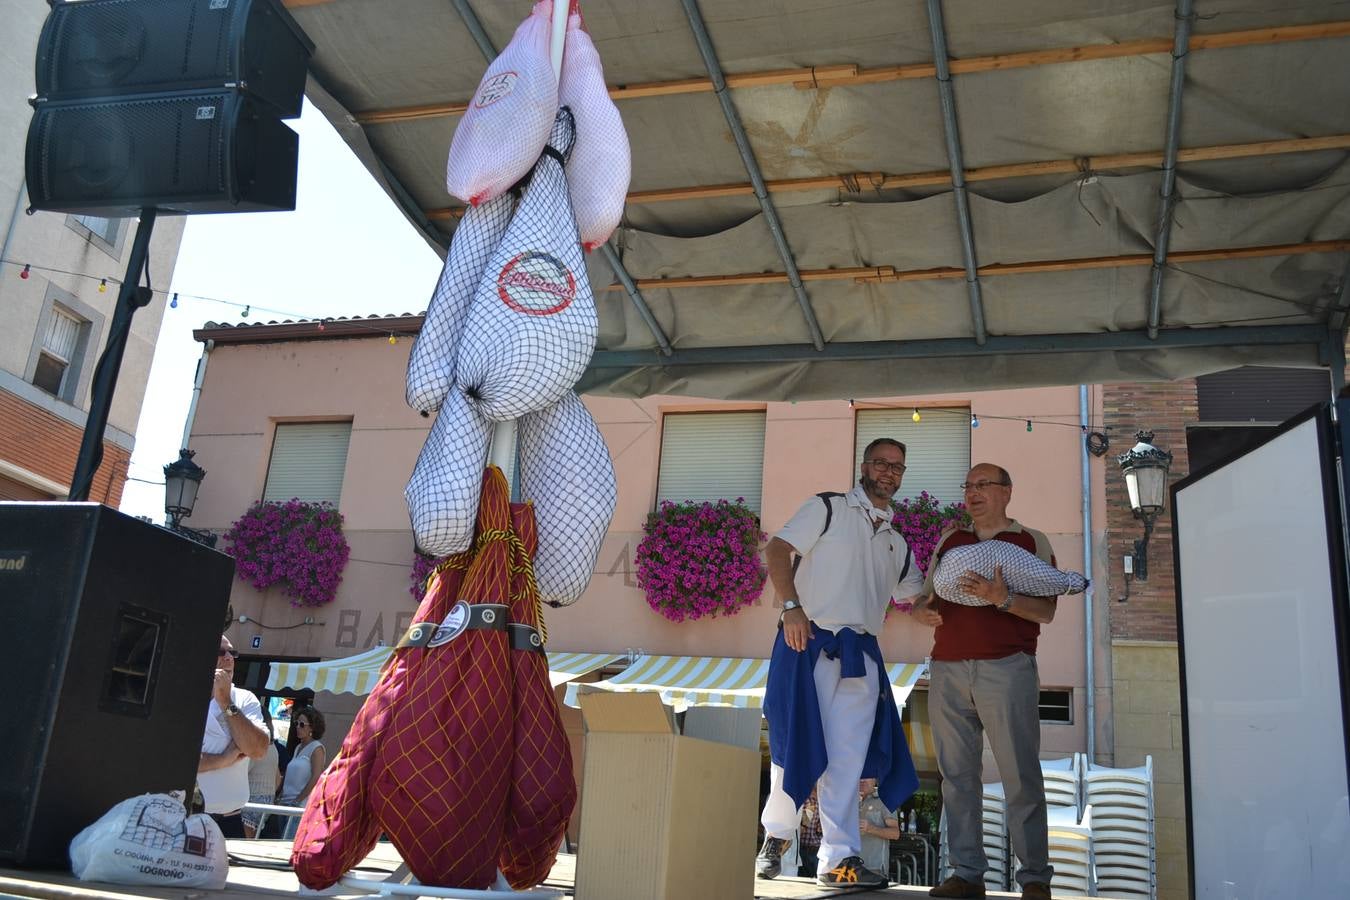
x,y
956,347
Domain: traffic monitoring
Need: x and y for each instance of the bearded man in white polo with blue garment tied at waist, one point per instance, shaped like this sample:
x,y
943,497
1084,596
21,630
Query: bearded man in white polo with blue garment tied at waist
x,y
828,704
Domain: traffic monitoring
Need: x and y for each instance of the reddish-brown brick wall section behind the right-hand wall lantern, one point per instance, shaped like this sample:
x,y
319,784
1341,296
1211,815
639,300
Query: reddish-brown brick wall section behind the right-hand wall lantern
x,y
1164,408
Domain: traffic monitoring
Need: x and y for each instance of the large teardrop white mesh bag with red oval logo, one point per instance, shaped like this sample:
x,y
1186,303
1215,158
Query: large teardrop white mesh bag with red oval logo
x,y
533,325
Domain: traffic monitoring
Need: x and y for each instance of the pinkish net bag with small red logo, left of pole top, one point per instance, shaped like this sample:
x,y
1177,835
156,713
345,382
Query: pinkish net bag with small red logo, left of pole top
x,y
508,121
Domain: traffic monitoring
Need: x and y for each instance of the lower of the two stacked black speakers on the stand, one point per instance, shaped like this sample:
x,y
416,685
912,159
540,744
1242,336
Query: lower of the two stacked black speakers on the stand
x,y
186,152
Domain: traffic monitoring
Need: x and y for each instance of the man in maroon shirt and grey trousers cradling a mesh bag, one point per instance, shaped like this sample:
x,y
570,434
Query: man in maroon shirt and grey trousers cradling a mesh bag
x,y
983,678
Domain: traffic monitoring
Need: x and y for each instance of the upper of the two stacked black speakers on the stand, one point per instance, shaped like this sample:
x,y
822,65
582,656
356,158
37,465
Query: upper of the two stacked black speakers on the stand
x,y
107,48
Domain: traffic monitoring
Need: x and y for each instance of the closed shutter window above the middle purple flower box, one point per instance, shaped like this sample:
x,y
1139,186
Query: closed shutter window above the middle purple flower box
x,y
712,457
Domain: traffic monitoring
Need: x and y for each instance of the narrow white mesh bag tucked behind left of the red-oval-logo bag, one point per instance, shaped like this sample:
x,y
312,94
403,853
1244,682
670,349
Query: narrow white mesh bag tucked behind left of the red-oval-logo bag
x,y
431,369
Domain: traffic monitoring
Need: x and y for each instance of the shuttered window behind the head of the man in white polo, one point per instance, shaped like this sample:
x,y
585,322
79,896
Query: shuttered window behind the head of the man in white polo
x,y
938,447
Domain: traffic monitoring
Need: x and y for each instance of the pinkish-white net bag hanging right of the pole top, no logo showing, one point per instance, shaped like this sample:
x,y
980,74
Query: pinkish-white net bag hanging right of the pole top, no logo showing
x,y
600,168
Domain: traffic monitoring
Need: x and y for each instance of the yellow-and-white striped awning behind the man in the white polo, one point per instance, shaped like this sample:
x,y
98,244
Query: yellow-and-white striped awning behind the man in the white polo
x,y
711,681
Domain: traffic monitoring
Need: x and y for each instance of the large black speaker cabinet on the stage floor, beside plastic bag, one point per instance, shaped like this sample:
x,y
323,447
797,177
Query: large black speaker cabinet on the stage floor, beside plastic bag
x,y
113,628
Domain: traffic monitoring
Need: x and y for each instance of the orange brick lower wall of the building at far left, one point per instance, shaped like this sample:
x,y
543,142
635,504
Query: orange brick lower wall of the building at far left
x,y
48,446
